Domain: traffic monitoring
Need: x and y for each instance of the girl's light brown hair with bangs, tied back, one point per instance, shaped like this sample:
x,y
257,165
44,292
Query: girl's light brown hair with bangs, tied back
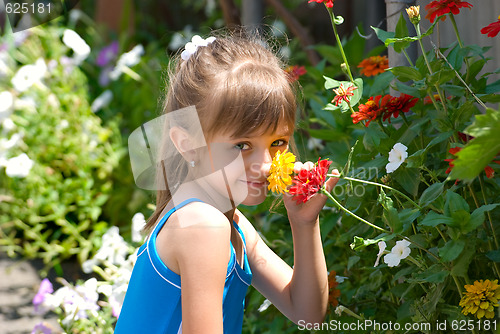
x,y
238,86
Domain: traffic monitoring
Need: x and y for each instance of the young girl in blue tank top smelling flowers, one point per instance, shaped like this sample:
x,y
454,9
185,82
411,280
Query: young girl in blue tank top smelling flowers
x,y
193,271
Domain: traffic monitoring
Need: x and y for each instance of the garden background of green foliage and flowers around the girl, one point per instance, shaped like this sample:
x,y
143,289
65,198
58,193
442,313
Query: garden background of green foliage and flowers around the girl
x,y
73,89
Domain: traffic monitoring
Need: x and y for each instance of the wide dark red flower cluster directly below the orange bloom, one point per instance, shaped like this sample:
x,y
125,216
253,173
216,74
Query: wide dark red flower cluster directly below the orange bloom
x,y
384,107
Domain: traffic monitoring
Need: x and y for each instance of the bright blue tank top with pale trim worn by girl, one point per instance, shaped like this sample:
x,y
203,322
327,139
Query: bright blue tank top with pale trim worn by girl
x,y
153,300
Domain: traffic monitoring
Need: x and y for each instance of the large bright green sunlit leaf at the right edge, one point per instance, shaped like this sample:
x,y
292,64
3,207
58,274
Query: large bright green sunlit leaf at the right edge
x,y
480,151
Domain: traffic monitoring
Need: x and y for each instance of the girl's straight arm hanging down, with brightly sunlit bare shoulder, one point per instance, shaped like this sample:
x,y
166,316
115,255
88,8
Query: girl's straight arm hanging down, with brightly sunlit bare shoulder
x,y
202,252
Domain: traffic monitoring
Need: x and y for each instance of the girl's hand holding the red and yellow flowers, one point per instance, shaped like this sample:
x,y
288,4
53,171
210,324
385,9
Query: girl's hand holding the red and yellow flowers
x,y
308,212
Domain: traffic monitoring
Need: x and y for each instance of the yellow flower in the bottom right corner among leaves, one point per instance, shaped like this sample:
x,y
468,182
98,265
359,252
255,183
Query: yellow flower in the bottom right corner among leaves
x,y
481,298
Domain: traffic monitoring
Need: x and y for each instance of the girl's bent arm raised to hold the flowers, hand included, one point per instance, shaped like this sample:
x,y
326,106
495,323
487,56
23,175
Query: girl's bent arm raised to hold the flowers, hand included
x,y
300,293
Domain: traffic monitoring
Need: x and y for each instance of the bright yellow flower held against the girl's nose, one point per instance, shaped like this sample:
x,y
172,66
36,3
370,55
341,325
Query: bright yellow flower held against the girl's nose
x,y
279,173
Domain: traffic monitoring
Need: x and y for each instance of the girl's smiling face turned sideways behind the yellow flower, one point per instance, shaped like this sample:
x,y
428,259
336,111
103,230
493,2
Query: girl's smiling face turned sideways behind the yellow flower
x,y
241,165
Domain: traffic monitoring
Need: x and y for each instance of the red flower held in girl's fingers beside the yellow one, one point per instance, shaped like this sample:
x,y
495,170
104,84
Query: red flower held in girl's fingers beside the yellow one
x,y
309,182
